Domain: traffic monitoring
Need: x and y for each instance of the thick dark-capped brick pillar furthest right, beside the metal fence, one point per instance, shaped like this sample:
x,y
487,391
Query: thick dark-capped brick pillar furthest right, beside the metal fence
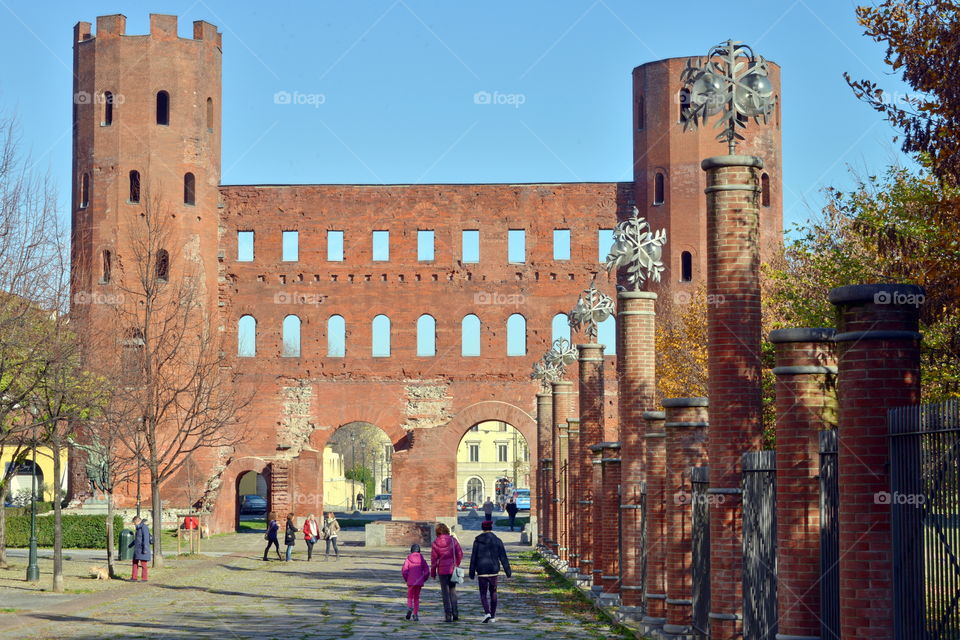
x,y
878,349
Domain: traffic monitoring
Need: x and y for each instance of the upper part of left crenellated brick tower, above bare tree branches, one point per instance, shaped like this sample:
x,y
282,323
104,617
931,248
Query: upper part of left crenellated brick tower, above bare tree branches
x,y
146,133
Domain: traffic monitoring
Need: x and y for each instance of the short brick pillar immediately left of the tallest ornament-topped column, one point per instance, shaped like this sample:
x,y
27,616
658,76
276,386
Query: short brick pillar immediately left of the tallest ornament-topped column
x,y
686,447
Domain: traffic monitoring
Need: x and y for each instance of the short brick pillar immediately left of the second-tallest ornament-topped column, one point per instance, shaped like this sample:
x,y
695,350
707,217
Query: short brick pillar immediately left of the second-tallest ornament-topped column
x,y
609,530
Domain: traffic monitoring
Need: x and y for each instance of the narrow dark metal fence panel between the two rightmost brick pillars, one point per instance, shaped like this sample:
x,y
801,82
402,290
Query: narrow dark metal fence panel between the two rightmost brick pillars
x,y
829,538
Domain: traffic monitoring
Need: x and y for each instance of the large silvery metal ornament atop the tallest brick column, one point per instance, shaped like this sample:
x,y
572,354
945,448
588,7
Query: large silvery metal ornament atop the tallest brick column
x,y
732,80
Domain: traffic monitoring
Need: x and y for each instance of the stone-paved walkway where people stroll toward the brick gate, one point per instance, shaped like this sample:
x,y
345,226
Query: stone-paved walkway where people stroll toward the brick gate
x,y
240,596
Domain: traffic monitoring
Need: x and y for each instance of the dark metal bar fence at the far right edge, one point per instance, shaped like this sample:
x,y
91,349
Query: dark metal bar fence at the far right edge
x,y
924,501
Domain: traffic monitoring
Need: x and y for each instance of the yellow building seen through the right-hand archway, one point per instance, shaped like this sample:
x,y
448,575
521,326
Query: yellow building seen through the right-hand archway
x,y
489,452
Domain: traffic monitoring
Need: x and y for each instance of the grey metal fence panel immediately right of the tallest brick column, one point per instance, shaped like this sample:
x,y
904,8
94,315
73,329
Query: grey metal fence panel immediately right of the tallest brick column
x,y
759,545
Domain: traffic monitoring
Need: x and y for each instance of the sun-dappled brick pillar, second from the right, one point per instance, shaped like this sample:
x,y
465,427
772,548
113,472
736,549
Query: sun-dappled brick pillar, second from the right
x,y
806,404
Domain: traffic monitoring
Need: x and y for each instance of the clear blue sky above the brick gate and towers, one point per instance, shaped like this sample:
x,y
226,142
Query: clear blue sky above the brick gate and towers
x,y
382,91
